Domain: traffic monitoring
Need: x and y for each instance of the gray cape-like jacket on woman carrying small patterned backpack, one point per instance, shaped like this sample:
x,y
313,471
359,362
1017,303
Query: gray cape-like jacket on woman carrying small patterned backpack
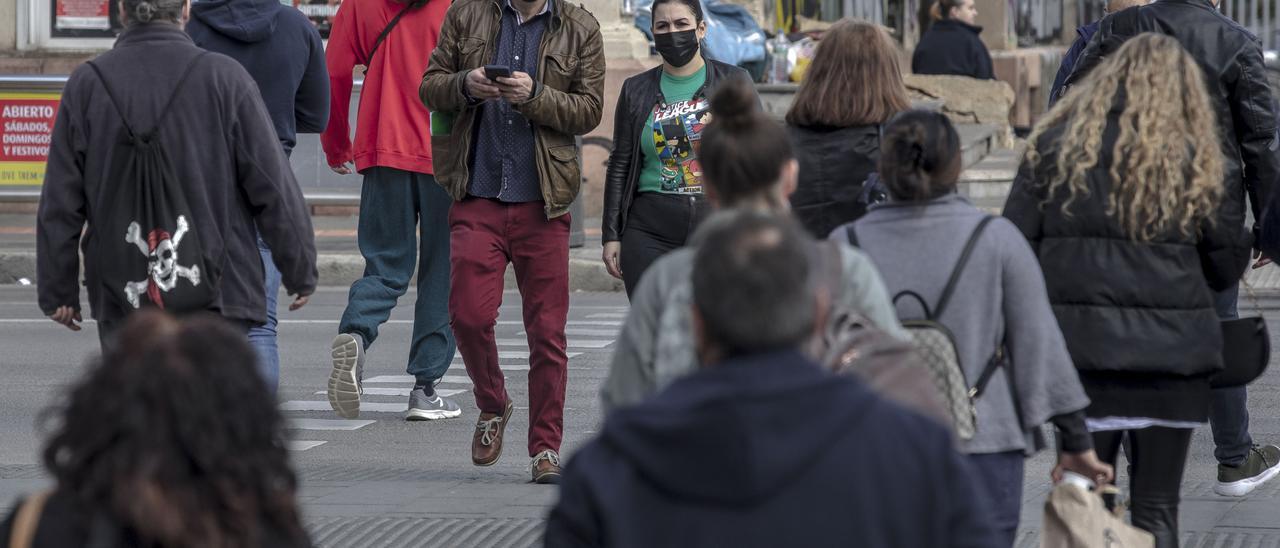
x,y
1000,298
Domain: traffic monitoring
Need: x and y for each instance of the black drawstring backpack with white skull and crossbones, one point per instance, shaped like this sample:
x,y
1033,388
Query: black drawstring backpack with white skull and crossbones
x,y
148,250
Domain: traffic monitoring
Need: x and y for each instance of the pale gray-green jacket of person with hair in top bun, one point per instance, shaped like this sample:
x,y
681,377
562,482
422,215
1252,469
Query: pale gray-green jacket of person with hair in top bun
x,y
656,346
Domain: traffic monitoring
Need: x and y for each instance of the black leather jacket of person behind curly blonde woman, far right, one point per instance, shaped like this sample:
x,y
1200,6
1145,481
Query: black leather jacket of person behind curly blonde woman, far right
x,y
1232,60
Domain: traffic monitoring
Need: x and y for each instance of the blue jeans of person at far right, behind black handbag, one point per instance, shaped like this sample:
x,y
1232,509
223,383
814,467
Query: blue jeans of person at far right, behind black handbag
x,y
1229,412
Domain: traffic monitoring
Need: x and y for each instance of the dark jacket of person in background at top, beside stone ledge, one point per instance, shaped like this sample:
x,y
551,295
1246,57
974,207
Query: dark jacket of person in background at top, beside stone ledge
x,y
953,48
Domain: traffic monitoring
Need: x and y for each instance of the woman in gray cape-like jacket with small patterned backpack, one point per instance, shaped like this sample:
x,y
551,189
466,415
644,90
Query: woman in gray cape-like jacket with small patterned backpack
x,y
998,305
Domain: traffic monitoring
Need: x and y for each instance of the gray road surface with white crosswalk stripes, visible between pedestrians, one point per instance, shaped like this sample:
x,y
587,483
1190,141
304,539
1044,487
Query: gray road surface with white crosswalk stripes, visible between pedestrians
x,y
390,483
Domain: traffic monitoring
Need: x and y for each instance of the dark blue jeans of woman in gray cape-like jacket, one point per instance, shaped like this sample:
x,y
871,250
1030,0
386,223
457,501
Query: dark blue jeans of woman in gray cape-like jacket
x,y
1000,483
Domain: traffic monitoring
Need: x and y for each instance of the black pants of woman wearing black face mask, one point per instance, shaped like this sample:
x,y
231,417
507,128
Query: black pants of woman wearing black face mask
x,y
657,225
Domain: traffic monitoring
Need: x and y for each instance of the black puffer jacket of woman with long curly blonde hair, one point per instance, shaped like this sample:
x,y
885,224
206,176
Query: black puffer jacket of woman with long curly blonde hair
x,y
1139,317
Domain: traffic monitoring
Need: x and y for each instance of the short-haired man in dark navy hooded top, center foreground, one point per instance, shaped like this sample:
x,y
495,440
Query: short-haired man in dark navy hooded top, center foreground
x,y
762,447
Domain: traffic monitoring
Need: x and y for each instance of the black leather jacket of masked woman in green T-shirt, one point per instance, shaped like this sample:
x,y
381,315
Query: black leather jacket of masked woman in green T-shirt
x,y
636,103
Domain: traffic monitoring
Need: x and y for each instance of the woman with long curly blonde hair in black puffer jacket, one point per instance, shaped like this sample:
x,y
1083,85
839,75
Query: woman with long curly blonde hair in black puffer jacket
x,y
1118,195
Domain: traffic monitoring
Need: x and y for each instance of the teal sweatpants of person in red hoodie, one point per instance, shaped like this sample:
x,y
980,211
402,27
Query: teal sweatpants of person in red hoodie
x,y
405,223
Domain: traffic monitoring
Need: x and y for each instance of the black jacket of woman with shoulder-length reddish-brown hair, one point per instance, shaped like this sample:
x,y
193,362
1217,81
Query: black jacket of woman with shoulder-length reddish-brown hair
x,y
834,165
